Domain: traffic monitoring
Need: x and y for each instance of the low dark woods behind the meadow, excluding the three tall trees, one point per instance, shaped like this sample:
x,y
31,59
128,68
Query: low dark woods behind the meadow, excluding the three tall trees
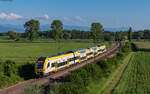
x,y
72,34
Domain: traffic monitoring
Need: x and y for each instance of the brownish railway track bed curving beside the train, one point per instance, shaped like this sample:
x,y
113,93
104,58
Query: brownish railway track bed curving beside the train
x,y
16,89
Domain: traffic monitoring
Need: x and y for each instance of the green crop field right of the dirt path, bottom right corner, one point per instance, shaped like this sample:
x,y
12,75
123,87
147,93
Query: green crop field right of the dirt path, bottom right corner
x,y
136,79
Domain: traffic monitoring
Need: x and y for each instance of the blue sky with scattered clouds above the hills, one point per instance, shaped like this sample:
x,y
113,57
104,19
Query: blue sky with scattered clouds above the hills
x,y
110,13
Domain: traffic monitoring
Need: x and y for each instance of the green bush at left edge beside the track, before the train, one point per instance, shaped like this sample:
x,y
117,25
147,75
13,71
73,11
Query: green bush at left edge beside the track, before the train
x,y
8,73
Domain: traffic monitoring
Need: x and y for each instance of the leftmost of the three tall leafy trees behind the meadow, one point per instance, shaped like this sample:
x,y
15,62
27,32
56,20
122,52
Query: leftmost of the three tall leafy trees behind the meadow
x,y
32,28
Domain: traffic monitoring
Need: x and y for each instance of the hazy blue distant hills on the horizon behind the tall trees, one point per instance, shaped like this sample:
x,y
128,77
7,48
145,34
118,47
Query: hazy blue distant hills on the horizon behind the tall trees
x,y
20,28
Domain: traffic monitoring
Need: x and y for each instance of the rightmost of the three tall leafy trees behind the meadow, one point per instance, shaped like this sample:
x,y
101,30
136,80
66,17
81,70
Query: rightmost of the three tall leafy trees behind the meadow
x,y
96,30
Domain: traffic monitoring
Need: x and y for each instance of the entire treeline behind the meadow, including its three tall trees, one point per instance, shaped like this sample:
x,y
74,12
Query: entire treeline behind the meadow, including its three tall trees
x,y
56,32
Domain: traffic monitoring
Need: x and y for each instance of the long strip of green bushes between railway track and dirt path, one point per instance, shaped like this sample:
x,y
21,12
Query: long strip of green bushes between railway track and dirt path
x,y
77,82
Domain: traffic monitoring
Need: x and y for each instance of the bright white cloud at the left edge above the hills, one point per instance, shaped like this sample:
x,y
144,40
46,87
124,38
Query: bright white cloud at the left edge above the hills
x,y
10,16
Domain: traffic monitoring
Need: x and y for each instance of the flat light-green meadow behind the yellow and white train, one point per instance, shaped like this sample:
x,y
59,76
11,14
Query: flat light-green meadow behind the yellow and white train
x,y
29,52
